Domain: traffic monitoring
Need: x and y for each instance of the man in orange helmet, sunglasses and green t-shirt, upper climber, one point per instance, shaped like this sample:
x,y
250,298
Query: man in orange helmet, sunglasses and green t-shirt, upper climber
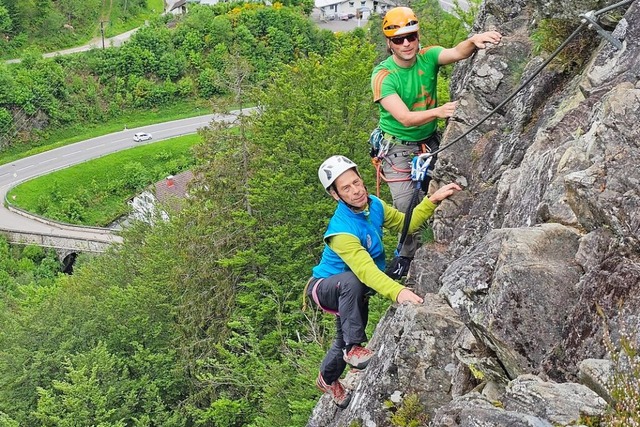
x,y
405,88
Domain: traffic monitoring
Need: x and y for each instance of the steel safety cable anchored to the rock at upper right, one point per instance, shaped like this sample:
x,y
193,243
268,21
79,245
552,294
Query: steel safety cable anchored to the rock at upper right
x,y
589,20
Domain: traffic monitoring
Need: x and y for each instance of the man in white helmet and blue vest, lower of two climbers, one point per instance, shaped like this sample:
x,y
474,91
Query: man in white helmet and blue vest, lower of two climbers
x,y
353,263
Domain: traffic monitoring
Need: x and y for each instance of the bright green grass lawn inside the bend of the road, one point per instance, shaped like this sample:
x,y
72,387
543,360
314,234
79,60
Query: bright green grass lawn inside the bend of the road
x,y
96,192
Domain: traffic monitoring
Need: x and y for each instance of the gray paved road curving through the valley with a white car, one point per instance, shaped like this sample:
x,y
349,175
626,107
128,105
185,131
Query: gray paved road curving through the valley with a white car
x,y
13,173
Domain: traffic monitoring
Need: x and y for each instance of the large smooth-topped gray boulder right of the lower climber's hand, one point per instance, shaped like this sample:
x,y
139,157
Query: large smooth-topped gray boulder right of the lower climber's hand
x,y
507,284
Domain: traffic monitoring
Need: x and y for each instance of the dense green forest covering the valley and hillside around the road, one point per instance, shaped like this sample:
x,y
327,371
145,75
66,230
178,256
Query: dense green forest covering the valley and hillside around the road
x,y
196,321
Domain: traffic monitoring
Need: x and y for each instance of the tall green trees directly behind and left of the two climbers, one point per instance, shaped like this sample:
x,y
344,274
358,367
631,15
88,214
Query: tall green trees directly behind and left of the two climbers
x,y
255,182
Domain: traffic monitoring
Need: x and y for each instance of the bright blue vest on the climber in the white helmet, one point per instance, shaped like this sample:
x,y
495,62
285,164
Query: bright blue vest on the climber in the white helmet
x,y
366,226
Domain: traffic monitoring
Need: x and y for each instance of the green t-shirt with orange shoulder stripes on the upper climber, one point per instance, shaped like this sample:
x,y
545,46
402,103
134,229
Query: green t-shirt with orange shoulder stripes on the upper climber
x,y
416,86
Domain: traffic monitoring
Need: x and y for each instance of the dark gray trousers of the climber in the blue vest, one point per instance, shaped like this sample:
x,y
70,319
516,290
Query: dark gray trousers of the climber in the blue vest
x,y
347,295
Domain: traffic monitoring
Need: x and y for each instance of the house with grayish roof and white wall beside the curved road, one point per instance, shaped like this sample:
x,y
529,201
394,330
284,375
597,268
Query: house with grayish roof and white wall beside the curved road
x,y
170,193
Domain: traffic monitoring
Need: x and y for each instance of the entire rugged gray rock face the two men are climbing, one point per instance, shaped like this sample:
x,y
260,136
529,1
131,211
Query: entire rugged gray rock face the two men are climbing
x,y
536,264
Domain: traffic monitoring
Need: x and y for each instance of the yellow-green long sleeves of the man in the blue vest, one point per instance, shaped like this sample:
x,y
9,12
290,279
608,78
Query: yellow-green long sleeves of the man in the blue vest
x,y
348,247
